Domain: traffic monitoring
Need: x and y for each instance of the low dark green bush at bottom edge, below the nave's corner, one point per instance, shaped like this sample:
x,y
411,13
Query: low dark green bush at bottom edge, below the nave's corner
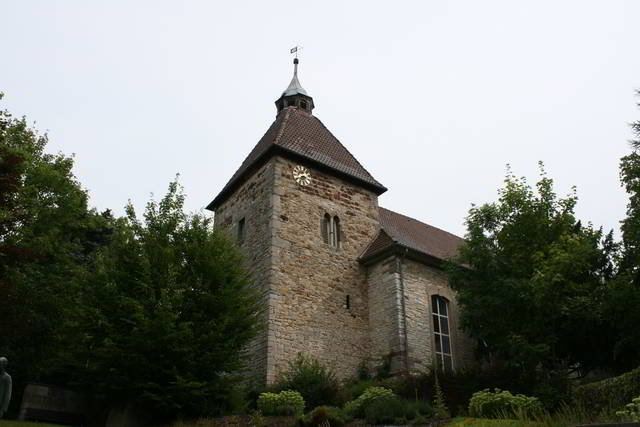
x,y
395,410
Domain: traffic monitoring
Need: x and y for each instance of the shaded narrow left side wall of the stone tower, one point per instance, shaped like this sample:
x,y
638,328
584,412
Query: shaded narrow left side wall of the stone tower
x,y
253,201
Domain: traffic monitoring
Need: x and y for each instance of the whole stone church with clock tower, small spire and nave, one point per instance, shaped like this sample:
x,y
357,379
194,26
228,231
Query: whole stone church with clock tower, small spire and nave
x,y
344,280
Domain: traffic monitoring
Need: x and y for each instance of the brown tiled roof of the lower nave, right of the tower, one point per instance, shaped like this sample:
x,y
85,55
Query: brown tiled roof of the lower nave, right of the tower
x,y
397,229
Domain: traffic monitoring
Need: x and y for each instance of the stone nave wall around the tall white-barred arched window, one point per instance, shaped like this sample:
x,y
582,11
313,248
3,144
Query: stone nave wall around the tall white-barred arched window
x,y
421,282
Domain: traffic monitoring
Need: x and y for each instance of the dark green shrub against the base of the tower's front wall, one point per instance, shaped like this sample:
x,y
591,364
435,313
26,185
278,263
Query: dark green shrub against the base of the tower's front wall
x,y
317,383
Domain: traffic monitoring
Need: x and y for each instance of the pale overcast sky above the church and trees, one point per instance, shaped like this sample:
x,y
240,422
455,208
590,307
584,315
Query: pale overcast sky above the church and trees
x,y
434,98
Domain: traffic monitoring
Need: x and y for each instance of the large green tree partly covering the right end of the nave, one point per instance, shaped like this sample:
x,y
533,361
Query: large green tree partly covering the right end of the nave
x,y
531,280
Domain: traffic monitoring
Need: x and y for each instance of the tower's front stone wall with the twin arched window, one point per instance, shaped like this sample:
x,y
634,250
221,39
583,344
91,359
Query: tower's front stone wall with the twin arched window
x,y
311,280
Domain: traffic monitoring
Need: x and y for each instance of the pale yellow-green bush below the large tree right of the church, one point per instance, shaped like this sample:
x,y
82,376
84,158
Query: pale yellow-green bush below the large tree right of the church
x,y
487,404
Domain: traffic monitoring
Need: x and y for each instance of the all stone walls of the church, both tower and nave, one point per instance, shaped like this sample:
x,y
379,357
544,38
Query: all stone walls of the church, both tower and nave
x,y
306,282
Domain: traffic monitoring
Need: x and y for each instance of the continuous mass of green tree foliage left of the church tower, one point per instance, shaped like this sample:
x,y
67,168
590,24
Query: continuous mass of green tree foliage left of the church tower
x,y
156,310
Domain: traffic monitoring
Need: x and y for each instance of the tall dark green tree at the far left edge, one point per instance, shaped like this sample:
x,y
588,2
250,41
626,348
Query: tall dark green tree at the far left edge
x,y
48,237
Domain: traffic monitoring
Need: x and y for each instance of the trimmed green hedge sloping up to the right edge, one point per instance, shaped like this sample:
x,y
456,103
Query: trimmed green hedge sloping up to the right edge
x,y
612,393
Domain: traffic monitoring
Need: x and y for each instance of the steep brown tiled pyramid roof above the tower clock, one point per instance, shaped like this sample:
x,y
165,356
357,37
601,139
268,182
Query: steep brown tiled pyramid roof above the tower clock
x,y
302,134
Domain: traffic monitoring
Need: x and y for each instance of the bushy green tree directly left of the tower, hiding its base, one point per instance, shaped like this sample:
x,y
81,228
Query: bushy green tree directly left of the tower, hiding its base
x,y
168,312
